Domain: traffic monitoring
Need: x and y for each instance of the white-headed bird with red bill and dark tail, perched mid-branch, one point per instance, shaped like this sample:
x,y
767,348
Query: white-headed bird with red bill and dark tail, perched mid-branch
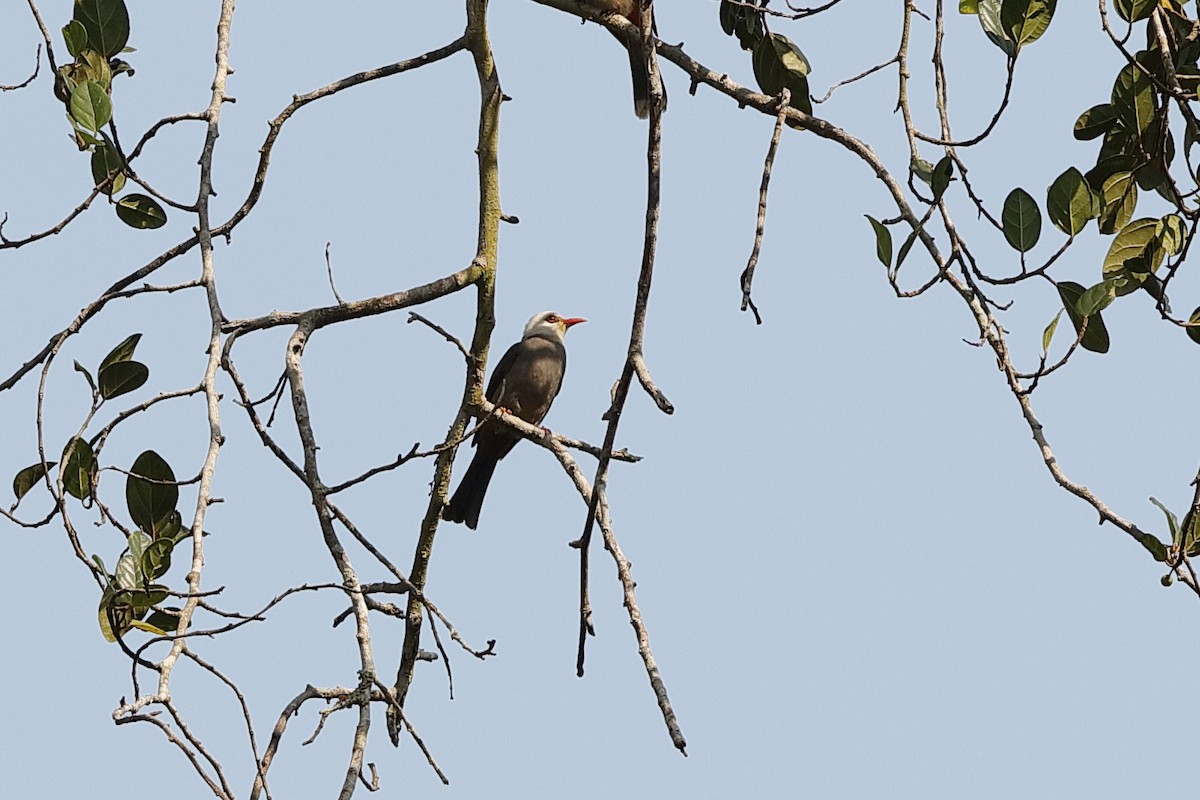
x,y
525,383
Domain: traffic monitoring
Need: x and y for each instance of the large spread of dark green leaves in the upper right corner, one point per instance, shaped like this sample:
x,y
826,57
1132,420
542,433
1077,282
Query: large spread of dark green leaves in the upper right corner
x,y
1137,155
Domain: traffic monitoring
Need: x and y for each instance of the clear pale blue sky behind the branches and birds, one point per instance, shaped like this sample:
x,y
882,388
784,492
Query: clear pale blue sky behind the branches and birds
x,y
859,578
